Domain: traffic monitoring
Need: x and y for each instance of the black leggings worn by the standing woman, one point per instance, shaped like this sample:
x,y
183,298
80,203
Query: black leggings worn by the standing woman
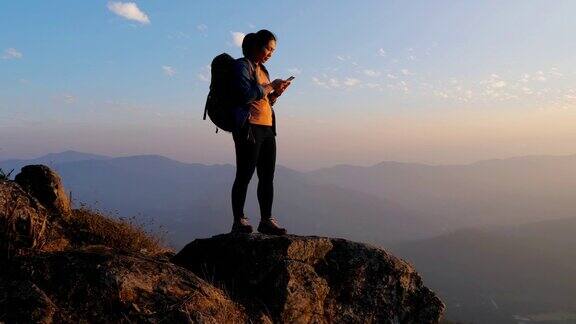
x,y
255,149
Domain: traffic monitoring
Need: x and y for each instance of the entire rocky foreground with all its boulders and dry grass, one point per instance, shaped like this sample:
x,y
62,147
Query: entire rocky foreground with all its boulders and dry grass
x,y
71,266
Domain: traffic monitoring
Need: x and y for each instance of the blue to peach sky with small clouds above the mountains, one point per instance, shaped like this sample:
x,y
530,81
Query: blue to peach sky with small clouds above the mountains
x,y
123,78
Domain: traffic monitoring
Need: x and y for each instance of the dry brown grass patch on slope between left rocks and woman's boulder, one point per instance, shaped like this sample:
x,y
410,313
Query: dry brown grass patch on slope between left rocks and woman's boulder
x,y
86,227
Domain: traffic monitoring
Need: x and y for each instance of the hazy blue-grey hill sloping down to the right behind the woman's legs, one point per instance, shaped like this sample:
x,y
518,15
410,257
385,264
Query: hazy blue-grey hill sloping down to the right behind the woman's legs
x,y
193,200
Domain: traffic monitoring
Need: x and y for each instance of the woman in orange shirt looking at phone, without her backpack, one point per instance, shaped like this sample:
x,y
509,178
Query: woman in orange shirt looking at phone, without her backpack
x,y
255,131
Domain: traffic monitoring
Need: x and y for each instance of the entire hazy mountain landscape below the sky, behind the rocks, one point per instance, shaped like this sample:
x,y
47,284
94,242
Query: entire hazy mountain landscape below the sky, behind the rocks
x,y
495,238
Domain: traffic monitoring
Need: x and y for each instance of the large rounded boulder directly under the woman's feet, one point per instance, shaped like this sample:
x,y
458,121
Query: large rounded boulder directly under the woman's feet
x,y
313,279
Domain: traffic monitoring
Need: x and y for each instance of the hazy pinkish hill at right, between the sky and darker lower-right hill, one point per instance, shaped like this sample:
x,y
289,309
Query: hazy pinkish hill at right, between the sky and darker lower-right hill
x,y
506,191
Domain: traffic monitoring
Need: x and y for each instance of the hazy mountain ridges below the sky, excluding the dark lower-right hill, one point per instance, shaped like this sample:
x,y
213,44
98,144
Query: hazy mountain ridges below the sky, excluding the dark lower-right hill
x,y
393,200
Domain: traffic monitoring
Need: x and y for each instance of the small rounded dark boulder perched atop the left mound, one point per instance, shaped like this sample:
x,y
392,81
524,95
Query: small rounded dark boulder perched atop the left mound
x,y
46,185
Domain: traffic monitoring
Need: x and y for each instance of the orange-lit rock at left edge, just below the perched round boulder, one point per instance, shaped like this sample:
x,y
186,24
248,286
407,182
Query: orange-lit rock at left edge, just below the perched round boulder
x,y
23,220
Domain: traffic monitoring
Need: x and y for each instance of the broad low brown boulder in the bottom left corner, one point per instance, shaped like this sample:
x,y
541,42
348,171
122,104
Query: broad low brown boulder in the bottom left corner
x,y
97,284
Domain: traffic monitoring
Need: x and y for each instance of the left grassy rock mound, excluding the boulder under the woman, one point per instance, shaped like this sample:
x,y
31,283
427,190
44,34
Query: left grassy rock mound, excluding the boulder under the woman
x,y
49,272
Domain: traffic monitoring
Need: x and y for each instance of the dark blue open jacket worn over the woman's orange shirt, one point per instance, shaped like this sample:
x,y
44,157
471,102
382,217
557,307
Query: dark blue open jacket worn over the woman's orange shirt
x,y
248,90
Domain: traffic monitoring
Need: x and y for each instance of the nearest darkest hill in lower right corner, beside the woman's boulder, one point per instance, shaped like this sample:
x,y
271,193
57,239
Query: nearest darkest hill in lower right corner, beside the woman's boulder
x,y
491,275
